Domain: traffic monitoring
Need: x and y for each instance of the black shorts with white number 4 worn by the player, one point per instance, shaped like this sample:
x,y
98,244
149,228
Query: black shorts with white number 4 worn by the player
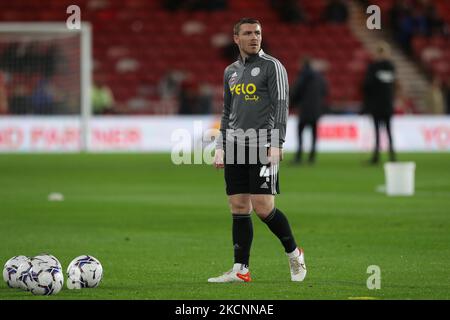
x,y
252,174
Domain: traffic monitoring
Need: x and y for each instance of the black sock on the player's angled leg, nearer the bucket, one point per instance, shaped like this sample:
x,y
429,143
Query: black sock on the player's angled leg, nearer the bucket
x,y
279,225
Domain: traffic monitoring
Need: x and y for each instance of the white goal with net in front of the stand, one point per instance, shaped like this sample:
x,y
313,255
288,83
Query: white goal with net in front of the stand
x,y
46,69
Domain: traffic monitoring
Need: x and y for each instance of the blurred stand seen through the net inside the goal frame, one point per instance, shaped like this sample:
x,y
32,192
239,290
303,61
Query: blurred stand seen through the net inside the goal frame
x,y
40,77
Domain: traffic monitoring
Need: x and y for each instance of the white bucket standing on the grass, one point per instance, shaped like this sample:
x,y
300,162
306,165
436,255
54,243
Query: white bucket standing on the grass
x,y
399,178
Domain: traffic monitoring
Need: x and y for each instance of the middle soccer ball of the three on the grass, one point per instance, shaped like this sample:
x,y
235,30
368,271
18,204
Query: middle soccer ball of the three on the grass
x,y
46,280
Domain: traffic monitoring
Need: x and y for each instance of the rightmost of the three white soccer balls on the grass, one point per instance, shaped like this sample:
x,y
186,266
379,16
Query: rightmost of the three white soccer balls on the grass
x,y
84,272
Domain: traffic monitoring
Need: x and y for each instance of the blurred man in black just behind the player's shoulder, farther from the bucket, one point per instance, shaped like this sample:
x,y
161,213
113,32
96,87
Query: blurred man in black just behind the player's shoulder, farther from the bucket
x,y
308,94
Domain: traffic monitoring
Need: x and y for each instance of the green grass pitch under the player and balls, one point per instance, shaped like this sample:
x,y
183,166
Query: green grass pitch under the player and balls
x,y
161,230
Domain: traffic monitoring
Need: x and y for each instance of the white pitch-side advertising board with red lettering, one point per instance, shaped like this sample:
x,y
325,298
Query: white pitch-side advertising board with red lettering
x,y
197,134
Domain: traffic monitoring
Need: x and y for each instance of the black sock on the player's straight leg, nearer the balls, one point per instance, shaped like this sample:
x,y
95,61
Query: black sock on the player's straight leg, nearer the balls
x,y
242,237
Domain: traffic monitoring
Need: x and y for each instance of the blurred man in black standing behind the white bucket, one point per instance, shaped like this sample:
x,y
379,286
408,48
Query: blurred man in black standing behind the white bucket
x,y
379,91
